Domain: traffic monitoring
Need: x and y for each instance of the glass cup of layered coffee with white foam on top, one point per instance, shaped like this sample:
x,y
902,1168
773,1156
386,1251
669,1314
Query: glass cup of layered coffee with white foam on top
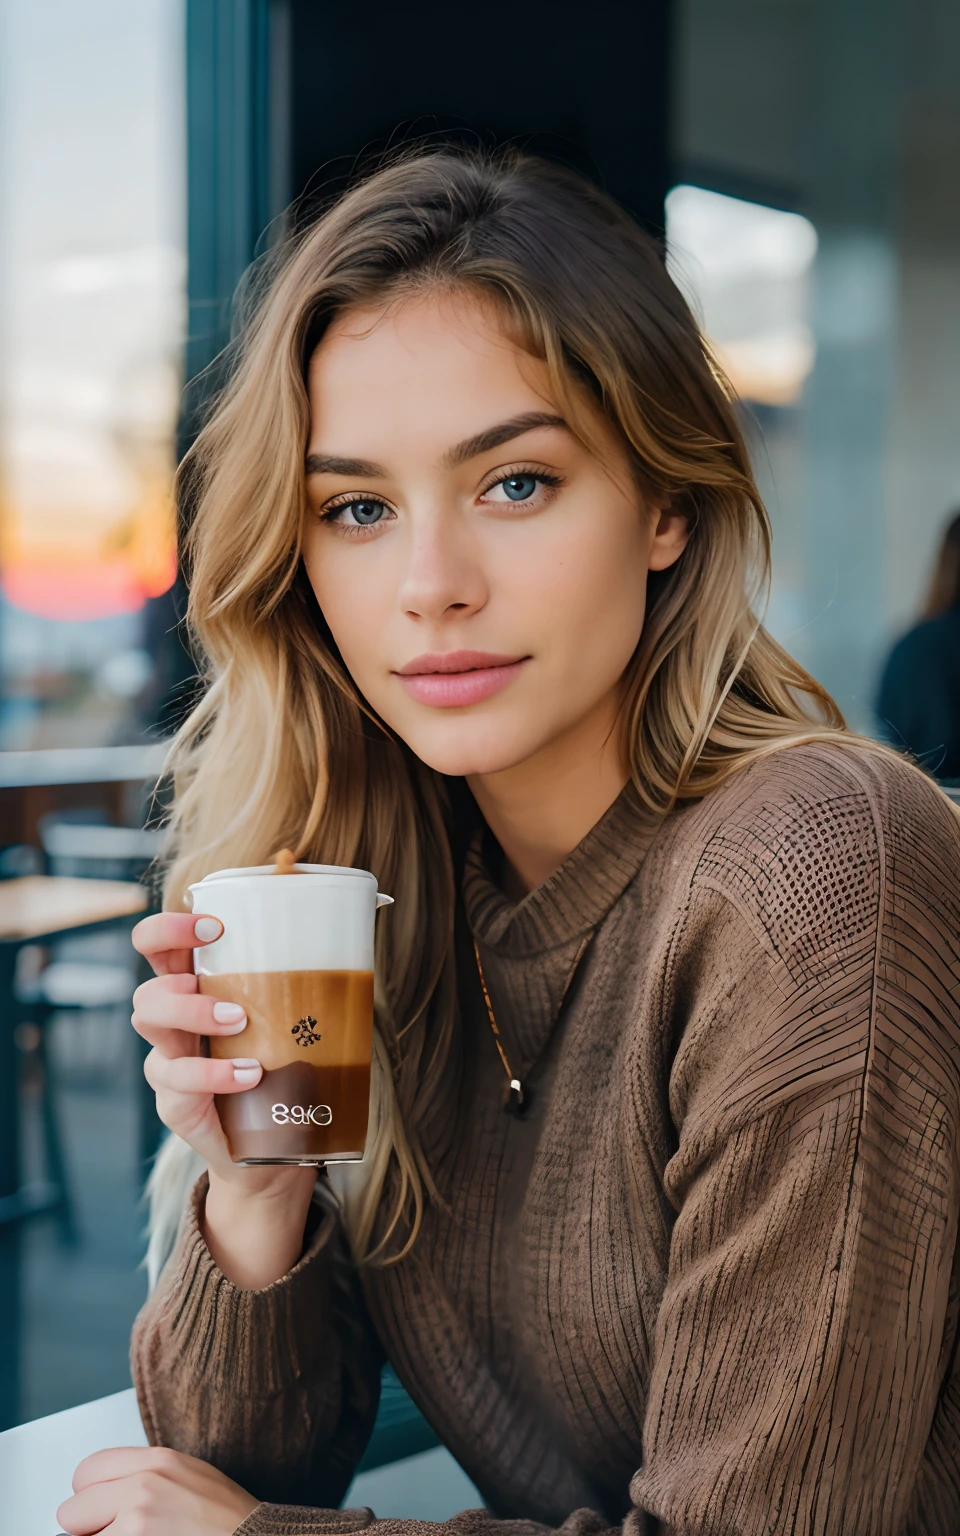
x,y
297,953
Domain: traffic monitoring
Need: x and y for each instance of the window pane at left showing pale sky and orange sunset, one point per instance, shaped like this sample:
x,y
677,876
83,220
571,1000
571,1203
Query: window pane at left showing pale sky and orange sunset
x,y
93,260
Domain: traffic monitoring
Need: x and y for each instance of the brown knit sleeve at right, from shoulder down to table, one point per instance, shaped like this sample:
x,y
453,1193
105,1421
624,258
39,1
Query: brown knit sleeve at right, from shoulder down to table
x,y
807,1332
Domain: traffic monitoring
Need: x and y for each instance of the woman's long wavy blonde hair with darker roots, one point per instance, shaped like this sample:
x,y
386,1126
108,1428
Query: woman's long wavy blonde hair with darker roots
x,y
283,750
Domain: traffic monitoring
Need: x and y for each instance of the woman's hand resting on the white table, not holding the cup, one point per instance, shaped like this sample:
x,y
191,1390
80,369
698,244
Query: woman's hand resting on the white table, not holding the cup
x,y
137,1492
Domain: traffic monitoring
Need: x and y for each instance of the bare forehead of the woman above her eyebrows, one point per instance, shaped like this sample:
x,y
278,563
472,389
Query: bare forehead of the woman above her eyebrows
x,y
431,368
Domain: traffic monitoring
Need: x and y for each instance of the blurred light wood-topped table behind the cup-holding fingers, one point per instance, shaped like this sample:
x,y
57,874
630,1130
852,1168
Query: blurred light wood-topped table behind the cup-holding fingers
x,y
35,910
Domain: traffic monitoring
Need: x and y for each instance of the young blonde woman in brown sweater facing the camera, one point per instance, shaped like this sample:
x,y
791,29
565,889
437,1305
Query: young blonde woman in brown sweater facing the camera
x,y
660,1219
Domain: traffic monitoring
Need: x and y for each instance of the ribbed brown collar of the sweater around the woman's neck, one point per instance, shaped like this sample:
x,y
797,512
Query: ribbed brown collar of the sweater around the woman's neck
x,y
577,898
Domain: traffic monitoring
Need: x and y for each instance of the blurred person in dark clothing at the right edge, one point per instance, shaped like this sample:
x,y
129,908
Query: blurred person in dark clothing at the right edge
x,y
919,704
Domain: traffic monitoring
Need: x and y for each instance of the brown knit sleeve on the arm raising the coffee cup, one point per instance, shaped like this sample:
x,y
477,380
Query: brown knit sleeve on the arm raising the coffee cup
x,y
276,1388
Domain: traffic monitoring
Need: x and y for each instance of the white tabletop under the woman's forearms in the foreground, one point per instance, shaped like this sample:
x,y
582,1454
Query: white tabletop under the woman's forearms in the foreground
x,y
38,1463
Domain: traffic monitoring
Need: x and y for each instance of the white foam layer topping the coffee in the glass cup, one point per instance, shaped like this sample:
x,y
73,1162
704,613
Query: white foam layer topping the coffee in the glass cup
x,y
320,921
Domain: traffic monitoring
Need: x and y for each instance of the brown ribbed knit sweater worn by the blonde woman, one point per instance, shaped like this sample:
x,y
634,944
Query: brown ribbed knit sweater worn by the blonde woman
x,y
710,1283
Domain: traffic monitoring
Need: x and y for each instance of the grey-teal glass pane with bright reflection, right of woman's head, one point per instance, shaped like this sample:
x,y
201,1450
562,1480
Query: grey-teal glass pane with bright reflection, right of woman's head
x,y
849,118
